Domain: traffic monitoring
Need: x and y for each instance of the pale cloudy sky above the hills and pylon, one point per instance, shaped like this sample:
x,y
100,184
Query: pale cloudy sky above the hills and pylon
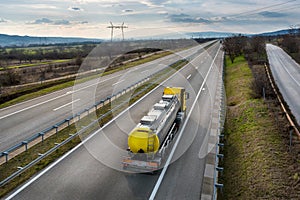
x,y
91,18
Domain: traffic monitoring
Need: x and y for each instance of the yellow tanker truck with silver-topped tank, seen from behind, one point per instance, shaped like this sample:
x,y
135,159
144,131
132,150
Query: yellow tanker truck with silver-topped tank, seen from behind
x,y
154,129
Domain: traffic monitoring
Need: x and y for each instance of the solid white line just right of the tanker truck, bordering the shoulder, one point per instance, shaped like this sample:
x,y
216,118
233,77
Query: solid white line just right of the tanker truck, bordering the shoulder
x,y
161,176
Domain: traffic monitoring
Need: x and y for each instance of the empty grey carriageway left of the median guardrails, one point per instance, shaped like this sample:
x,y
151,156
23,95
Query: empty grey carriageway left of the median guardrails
x,y
21,121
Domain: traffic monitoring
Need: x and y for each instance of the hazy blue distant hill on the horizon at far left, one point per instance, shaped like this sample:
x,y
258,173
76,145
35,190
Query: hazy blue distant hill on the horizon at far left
x,y
16,40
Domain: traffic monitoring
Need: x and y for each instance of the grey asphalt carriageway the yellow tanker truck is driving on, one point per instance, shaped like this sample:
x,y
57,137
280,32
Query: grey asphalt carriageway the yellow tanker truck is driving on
x,y
92,170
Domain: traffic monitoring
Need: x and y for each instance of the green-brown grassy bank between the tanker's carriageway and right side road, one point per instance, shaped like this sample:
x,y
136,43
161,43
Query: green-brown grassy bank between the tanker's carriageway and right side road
x,y
256,164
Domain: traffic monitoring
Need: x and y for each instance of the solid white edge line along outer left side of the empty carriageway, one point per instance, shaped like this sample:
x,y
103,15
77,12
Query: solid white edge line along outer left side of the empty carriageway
x,y
67,93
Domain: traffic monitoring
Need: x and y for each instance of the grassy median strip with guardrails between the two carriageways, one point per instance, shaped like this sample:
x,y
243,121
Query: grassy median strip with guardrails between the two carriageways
x,y
32,153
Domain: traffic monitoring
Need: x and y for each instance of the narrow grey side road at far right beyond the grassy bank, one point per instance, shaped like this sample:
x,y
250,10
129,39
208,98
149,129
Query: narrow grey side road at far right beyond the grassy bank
x,y
286,73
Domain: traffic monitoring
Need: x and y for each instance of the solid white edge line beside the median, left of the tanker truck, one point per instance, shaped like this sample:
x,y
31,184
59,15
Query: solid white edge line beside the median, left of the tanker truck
x,y
88,138
